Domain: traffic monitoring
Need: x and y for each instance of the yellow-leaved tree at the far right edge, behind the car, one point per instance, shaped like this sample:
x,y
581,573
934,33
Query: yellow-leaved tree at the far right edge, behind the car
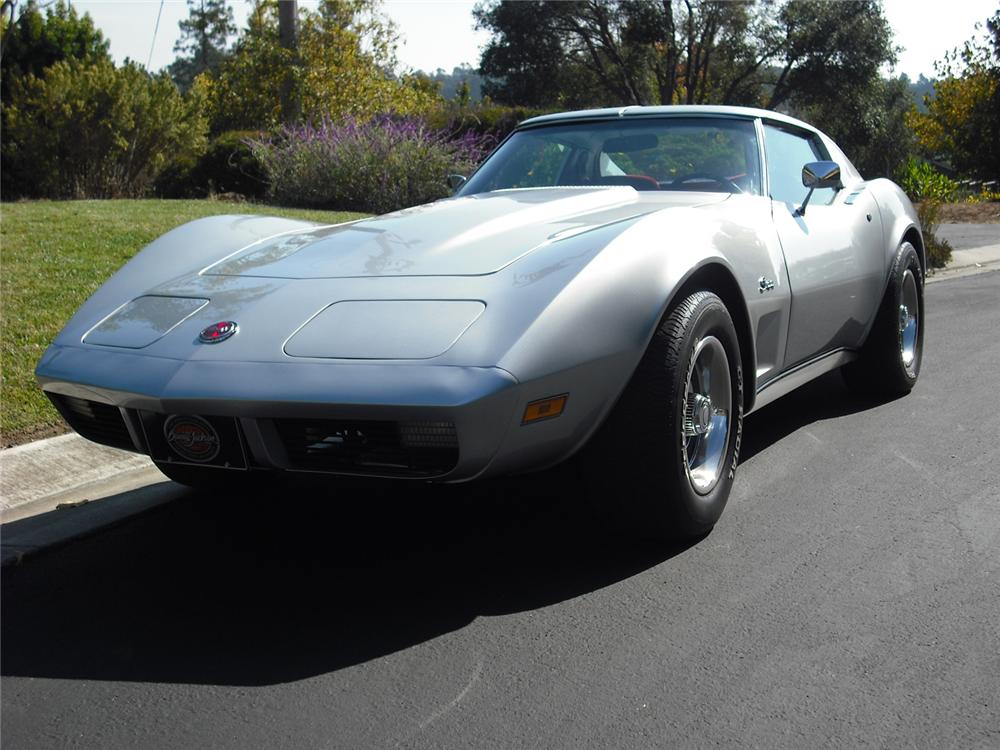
x,y
962,123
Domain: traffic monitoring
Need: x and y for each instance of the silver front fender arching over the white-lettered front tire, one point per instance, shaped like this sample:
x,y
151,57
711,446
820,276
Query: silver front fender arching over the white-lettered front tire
x,y
592,334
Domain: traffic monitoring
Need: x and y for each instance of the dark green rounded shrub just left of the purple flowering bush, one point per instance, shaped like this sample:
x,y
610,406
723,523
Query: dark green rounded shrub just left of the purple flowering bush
x,y
227,167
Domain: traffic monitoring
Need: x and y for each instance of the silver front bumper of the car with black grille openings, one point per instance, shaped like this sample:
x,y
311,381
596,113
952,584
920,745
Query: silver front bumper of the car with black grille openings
x,y
426,421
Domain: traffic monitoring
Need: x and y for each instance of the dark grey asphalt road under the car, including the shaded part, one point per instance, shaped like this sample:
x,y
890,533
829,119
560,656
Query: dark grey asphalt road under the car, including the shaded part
x,y
850,596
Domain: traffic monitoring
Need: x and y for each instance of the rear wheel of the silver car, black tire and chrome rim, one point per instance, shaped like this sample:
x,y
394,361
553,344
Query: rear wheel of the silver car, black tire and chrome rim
x,y
889,361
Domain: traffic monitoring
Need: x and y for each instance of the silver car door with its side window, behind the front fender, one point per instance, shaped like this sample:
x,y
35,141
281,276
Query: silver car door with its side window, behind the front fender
x,y
832,250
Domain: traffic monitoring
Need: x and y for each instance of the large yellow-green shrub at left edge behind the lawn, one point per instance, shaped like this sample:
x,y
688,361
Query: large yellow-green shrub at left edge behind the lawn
x,y
96,131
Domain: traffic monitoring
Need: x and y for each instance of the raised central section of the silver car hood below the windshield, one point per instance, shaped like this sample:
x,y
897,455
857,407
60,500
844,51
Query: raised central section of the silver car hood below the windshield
x,y
467,236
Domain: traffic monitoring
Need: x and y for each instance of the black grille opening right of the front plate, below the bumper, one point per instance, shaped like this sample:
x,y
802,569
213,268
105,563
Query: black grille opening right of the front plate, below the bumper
x,y
370,447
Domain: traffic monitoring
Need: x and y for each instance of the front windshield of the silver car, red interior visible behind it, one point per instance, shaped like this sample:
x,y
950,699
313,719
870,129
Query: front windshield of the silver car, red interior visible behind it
x,y
697,153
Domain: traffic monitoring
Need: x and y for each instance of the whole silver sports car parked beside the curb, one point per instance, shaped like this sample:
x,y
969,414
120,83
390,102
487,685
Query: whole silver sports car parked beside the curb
x,y
620,285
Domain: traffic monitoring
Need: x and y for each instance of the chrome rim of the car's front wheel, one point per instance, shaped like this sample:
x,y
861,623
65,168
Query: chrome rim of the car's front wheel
x,y
708,397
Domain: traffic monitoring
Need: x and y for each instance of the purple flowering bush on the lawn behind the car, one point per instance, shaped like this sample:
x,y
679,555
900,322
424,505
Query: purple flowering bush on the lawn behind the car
x,y
376,166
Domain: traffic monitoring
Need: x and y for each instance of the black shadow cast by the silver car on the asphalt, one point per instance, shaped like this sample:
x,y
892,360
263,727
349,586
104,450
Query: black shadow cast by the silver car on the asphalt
x,y
263,590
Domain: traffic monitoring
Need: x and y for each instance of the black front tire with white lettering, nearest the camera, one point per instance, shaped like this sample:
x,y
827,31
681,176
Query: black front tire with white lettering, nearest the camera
x,y
638,466
